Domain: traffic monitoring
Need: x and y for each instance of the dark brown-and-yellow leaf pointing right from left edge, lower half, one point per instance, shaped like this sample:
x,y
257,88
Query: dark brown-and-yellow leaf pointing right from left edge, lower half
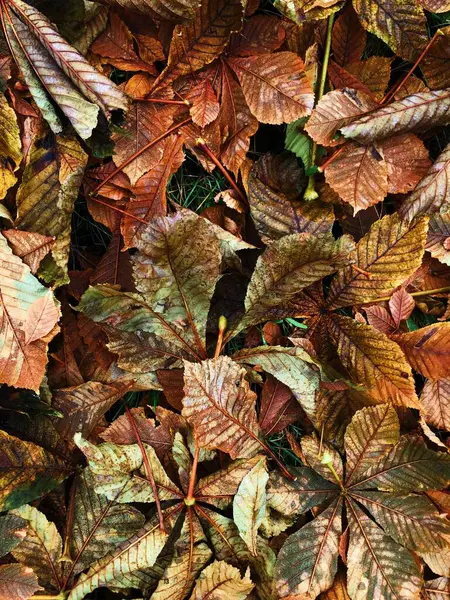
x,y
28,471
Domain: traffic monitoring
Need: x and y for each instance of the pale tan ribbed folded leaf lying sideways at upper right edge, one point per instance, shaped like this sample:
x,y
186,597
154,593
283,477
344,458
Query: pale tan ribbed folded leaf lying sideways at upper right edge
x,y
416,112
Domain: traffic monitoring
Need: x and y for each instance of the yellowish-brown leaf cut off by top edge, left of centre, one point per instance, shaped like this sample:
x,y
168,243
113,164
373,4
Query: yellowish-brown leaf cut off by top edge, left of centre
x,y
172,10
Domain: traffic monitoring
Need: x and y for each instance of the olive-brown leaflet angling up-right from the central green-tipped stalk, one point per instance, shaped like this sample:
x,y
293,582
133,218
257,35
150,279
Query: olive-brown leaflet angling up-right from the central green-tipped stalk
x,y
286,267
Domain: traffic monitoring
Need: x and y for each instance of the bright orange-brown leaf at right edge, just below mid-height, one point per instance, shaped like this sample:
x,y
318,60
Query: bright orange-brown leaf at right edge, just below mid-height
x,y
428,349
